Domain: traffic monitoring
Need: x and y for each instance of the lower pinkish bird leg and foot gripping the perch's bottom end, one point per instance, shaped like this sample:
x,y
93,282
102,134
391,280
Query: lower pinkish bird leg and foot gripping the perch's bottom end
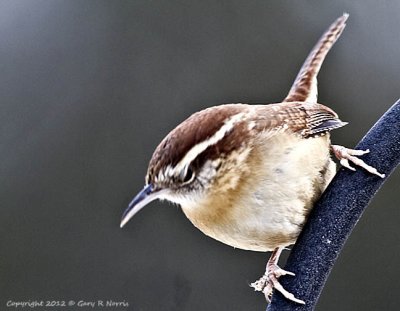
x,y
269,280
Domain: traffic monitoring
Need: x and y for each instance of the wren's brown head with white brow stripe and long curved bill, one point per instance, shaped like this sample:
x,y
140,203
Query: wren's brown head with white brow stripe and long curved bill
x,y
194,157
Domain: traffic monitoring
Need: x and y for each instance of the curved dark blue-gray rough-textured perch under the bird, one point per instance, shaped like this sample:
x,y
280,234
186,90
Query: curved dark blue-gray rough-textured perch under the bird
x,y
335,215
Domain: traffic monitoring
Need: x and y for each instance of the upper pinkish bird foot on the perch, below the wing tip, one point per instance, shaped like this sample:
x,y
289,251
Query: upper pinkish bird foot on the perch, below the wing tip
x,y
344,155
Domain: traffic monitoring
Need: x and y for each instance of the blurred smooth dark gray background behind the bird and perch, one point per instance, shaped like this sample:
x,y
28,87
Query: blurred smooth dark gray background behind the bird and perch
x,y
89,88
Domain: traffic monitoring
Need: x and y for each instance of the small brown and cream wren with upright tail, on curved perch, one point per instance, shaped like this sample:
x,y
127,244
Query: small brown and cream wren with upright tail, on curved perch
x,y
248,175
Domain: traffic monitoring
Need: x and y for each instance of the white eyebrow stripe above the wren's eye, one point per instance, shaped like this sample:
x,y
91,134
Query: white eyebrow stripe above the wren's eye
x,y
200,147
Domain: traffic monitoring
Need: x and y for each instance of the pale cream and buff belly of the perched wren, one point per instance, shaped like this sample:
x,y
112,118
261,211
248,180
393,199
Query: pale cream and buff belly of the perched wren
x,y
273,202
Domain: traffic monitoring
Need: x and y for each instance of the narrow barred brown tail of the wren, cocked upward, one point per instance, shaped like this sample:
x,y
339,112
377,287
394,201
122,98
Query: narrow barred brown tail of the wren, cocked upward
x,y
305,86
